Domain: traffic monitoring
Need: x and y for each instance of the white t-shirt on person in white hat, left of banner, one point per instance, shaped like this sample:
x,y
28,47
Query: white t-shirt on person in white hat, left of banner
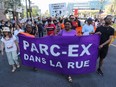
x,y
9,44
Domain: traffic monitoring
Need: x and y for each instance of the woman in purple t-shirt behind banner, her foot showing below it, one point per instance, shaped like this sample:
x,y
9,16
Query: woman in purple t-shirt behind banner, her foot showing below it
x,y
68,31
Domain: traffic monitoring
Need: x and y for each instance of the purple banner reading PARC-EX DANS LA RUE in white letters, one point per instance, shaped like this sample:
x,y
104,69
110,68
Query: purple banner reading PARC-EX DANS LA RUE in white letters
x,y
66,55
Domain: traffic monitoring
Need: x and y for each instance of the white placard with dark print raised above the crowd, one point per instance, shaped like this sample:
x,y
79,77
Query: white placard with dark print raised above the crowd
x,y
57,9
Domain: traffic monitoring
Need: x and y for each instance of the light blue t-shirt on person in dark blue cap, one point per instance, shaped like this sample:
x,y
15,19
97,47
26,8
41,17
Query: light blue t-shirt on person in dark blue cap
x,y
87,29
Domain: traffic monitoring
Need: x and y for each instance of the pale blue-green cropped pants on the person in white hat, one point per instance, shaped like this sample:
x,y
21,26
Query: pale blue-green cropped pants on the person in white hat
x,y
12,57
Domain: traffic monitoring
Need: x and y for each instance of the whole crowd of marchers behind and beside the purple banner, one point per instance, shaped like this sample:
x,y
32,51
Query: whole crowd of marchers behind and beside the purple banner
x,y
54,27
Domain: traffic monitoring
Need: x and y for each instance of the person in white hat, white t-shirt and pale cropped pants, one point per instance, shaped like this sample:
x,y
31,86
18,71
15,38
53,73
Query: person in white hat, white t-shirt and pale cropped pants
x,y
10,44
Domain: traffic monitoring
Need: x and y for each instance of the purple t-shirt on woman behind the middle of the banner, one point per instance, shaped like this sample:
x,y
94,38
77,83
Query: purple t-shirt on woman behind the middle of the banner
x,y
67,33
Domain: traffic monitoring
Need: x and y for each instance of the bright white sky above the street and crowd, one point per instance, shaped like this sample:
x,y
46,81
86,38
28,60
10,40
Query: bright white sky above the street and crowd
x,y
44,4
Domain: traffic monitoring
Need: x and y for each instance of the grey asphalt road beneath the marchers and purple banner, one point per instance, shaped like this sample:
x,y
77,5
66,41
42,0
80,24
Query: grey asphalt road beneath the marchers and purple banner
x,y
25,77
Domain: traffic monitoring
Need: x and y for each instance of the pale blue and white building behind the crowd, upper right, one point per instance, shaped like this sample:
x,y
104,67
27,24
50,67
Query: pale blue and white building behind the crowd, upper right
x,y
90,5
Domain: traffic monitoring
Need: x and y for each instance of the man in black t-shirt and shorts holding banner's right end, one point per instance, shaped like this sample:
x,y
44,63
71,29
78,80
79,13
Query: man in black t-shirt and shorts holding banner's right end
x,y
107,33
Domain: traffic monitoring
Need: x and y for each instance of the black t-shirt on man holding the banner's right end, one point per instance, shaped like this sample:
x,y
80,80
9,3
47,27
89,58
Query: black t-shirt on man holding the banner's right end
x,y
106,32
